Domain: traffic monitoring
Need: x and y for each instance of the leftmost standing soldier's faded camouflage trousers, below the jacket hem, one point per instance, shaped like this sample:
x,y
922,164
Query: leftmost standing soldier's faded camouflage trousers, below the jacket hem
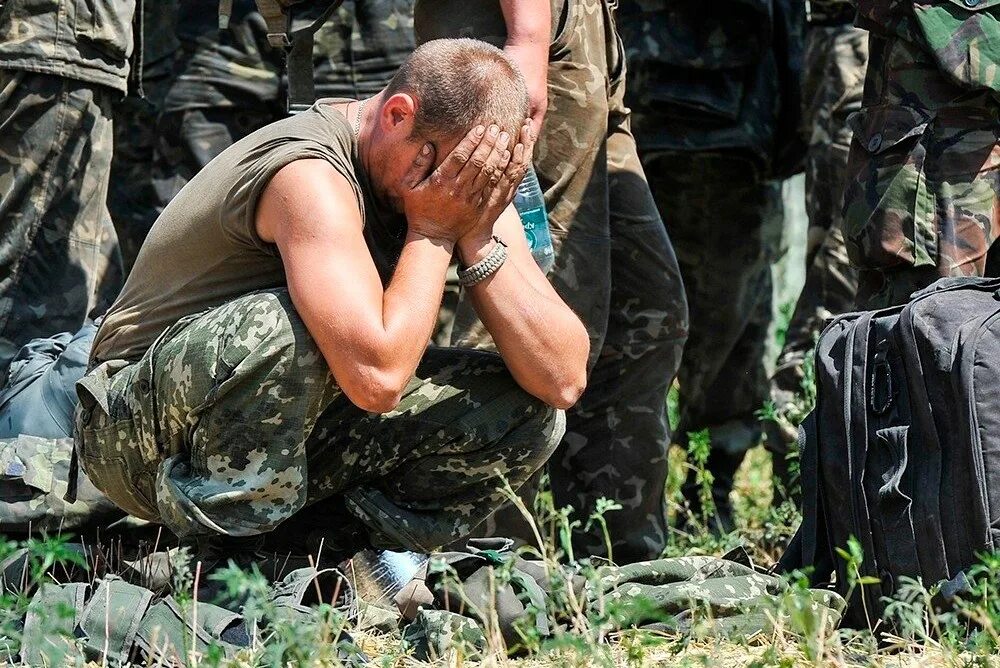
x,y
59,258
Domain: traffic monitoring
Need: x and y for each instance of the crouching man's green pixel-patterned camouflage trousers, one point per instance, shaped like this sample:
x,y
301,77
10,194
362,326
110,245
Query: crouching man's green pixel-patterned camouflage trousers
x,y
232,424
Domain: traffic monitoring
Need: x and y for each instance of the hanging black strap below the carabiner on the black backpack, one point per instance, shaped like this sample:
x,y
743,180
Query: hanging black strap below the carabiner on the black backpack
x,y
894,503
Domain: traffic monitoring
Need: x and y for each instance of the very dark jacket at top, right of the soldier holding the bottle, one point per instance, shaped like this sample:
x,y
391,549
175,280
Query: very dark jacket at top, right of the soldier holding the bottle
x,y
725,79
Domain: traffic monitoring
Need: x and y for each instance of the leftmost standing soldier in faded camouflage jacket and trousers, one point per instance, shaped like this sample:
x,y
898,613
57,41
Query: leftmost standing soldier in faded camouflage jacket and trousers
x,y
63,63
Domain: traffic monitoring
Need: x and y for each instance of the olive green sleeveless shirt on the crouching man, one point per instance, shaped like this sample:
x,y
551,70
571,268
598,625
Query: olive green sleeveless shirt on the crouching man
x,y
204,249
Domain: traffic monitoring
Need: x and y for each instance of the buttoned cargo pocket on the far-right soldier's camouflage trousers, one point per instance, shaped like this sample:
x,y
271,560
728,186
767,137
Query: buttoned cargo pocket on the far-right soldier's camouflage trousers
x,y
888,208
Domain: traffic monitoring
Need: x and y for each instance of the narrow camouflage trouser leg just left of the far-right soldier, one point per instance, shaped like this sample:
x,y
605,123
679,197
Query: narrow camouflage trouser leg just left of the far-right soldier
x,y
835,62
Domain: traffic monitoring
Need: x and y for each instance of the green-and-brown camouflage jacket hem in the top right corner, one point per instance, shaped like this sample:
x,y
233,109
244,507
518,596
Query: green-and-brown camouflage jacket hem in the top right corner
x,y
962,36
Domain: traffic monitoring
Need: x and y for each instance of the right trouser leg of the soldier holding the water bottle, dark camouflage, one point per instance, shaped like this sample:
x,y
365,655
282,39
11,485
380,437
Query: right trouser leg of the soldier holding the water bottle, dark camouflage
x,y
617,436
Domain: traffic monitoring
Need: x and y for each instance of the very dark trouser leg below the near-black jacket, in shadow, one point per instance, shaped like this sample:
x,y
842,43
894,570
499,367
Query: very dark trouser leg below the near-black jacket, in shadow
x,y
717,208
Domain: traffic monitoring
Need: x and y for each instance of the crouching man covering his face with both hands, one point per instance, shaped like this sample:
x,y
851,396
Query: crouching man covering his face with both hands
x,y
269,350
